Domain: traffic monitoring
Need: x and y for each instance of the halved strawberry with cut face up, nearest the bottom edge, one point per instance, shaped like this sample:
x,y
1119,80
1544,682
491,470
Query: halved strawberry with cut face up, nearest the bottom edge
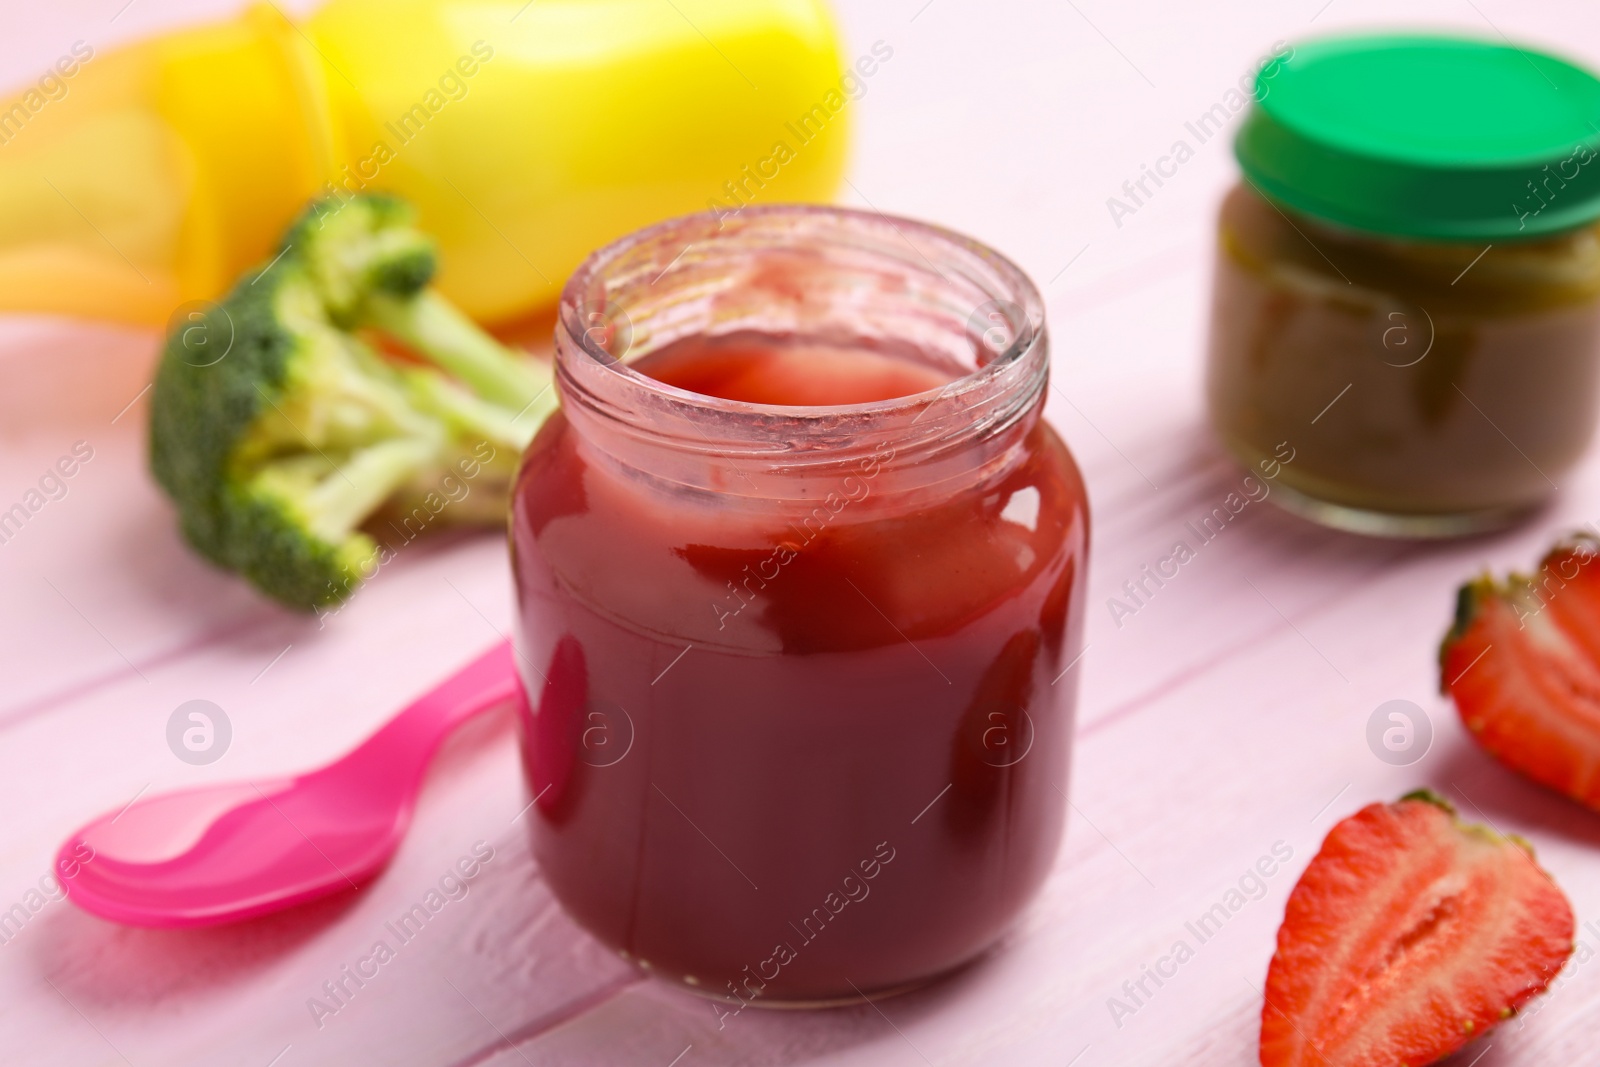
x,y
1409,935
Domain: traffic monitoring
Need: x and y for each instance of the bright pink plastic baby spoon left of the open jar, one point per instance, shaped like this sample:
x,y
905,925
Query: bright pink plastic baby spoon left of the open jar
x,y
222,853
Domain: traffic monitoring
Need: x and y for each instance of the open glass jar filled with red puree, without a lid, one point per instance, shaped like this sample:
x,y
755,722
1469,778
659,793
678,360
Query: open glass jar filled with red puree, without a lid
x,y
799,701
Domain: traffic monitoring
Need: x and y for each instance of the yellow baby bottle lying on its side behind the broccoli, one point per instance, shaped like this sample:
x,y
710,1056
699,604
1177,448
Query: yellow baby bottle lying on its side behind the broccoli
x,y
527,134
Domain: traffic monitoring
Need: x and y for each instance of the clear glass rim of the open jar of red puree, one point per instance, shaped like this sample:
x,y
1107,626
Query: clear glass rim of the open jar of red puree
x,y
1015,297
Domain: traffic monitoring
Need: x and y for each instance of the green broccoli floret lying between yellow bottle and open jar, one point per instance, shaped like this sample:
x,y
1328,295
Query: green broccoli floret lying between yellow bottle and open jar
x,y
289,428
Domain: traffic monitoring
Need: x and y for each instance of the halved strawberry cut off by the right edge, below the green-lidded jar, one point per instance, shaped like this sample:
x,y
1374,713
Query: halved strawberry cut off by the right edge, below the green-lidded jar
x,y
1524,666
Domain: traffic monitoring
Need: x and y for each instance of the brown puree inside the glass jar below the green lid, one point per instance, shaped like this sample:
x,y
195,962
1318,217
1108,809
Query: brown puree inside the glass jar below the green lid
x,y
1415,378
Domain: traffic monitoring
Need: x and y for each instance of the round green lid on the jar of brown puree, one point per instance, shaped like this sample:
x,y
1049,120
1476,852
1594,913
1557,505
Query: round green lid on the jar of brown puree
x,y
1428,137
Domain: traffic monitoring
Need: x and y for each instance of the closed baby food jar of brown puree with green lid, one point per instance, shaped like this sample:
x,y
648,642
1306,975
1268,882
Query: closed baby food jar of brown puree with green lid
x,y
1409,282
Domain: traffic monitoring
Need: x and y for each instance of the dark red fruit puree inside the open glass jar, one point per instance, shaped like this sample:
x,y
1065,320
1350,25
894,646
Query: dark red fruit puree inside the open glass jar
x,y
793,751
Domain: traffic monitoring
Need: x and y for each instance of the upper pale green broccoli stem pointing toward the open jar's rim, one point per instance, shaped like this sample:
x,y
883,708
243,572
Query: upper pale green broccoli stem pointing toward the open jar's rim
x,y
447,338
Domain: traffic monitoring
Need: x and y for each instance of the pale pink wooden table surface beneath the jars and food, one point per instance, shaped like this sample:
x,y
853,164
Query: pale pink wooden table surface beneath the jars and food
x,y
1220,724
